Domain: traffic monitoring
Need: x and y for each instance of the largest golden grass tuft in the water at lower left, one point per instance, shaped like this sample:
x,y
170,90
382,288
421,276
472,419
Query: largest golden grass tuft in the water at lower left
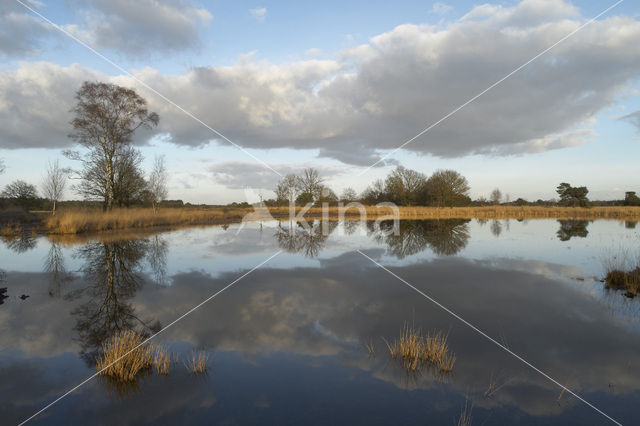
x,y
119,346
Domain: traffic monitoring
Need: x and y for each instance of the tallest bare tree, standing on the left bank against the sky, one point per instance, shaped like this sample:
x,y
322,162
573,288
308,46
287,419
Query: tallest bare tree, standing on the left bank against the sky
x,y
106,118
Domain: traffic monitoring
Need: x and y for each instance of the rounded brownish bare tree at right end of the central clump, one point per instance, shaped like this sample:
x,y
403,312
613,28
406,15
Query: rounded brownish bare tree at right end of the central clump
x,y
447,188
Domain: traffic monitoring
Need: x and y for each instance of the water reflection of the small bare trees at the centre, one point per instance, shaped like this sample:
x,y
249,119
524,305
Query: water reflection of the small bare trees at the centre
x,y
307,238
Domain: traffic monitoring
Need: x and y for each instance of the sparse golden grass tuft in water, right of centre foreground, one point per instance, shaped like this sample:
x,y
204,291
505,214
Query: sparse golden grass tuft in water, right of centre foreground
x,y
415,350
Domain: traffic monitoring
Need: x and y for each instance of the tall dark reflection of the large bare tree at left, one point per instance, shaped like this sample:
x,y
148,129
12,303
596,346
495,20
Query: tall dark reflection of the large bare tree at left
x,y
112,272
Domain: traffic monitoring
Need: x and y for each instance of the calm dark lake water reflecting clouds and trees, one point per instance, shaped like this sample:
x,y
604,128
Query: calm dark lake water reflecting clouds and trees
x,y
288,341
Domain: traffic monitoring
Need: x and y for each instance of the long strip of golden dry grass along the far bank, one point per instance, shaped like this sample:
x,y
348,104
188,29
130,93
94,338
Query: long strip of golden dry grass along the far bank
x,y
91,220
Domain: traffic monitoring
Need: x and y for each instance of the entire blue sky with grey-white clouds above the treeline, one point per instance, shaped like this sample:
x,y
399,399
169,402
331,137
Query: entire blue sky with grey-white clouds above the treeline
x,y
337,86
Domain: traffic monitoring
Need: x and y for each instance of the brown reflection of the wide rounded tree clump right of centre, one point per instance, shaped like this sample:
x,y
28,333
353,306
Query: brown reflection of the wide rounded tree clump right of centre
x,y
444,237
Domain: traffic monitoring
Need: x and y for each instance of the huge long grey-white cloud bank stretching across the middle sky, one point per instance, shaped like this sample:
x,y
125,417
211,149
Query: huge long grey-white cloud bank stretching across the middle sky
x,y
377,95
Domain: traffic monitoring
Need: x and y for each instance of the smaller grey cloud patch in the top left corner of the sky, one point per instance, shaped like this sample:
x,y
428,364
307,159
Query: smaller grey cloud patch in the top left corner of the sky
x,y
131,28
